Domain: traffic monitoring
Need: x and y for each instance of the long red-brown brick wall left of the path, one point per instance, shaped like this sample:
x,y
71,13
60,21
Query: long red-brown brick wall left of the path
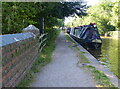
x,y
18,57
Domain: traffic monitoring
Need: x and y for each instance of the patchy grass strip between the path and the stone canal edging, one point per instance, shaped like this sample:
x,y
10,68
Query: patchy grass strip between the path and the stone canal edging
x,y
101,79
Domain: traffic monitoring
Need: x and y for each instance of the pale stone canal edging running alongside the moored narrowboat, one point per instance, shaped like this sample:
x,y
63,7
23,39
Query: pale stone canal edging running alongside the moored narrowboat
x,y
95,63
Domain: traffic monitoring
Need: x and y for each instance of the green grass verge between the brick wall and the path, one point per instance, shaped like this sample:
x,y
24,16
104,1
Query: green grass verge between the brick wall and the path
x,y
44,58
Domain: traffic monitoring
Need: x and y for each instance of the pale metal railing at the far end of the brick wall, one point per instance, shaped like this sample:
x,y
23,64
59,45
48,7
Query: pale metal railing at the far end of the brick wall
x,y
42,41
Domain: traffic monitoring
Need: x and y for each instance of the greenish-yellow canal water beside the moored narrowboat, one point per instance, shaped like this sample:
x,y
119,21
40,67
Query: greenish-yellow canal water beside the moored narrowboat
x,y
108,54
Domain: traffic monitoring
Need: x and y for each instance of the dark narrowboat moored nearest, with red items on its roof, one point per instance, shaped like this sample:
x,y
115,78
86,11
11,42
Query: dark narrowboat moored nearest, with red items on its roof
x,y
87,35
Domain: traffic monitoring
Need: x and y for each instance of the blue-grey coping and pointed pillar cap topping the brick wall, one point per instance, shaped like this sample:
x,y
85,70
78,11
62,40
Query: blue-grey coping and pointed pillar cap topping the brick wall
x,y
29,31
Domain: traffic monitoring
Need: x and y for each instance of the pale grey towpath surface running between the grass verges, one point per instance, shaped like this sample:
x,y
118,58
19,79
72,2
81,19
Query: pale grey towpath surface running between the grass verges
x,y
63,71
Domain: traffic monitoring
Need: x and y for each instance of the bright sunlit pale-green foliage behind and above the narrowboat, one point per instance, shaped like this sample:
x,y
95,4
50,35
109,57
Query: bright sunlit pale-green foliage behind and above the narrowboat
x,y
105,14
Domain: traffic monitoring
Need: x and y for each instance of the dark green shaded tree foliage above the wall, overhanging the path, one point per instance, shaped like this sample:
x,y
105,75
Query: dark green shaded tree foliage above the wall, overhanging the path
x,y
17,15
